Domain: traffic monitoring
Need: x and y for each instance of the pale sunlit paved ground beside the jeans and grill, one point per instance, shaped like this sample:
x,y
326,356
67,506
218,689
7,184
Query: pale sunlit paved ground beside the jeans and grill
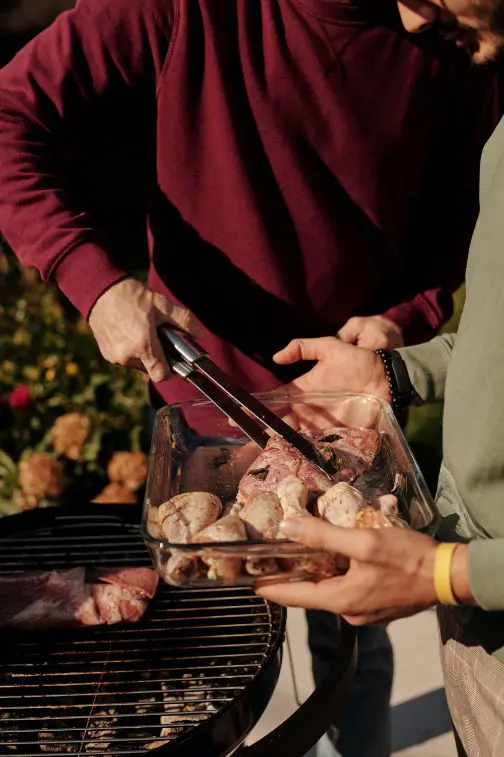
x,y
421,725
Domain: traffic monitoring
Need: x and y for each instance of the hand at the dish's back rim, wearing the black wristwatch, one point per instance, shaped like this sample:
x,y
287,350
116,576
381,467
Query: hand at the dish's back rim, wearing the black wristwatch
x,y
340,368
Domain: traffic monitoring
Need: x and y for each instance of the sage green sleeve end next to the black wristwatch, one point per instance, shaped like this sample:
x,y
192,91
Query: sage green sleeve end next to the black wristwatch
x,y
427,366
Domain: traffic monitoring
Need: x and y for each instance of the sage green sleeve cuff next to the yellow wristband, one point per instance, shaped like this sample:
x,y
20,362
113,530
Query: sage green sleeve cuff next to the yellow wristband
x,y
486,569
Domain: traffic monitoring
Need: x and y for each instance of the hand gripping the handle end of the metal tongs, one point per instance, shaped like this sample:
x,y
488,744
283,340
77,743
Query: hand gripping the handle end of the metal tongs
x,y
124,322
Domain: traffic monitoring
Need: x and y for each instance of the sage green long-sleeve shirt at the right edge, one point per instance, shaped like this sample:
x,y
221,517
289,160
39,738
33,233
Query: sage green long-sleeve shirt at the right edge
x,y
466,370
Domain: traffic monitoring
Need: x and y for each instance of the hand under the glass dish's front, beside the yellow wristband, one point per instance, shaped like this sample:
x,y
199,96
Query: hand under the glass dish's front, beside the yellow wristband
x,y
390,574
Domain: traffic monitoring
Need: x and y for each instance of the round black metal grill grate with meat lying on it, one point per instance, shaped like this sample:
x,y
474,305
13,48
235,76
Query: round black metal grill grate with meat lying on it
x,y
131,689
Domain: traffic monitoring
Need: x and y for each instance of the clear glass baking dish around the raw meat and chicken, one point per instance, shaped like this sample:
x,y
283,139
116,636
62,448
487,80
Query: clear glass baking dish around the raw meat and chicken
x,y
195,448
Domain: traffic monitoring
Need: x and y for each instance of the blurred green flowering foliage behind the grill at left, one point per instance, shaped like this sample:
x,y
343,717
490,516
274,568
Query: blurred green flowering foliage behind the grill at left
x,y
50,352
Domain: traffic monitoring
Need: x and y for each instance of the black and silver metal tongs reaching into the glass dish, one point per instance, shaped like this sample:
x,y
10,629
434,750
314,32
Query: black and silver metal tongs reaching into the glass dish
x,y
192,363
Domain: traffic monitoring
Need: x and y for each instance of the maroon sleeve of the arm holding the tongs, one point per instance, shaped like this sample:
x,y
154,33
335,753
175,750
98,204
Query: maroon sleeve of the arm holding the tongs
x,y
93,65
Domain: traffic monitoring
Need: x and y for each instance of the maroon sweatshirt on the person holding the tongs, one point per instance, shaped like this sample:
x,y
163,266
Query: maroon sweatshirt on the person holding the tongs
x,y
303,161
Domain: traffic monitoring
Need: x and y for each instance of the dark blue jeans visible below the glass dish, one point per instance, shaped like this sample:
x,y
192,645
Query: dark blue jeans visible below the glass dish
x,y
362,727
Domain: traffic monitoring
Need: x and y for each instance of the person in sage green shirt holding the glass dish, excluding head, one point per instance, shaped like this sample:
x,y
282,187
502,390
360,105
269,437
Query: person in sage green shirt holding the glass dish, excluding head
x,y
394,572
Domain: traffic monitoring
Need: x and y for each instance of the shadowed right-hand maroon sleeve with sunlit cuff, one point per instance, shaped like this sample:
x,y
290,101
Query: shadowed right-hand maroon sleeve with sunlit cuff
x,y
440,229
